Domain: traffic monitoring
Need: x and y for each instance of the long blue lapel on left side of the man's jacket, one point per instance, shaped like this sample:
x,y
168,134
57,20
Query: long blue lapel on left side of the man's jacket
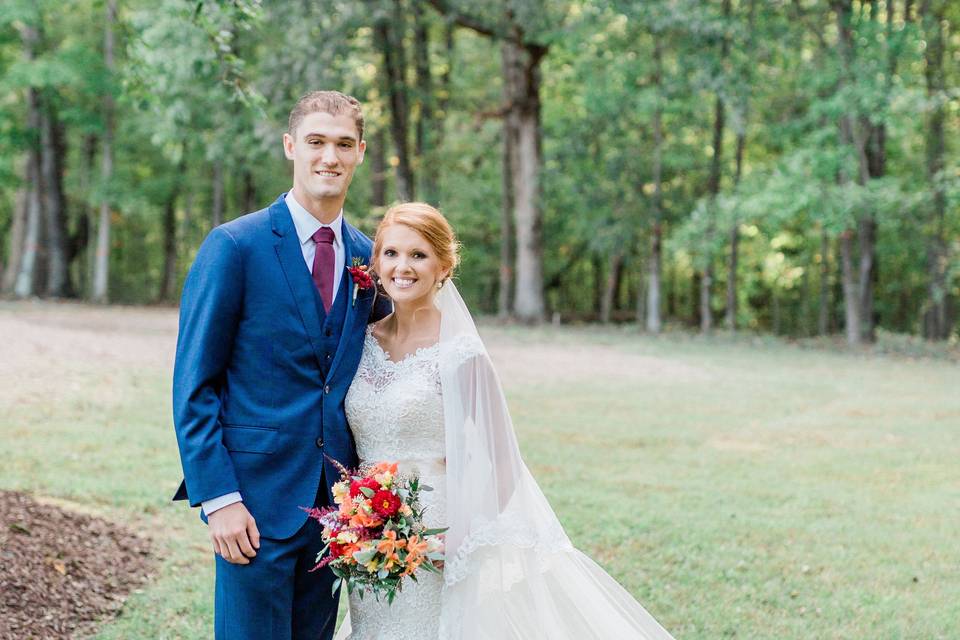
x,y
287,246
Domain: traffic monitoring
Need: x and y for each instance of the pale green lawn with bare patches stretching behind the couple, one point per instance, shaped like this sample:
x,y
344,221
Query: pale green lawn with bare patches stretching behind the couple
x,y
739,488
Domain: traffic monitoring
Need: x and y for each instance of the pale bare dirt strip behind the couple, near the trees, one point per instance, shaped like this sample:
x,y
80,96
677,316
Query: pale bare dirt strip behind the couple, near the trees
x,y
60,343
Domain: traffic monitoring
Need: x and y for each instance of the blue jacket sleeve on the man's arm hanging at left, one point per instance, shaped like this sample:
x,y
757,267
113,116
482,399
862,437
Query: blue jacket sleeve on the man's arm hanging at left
x,y
210,309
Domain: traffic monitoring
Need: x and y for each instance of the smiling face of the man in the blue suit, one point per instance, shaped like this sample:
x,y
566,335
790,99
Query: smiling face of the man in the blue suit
x,y
325,150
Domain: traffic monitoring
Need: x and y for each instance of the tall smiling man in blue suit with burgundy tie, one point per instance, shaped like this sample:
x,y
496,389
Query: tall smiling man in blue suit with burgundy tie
x,y
270,338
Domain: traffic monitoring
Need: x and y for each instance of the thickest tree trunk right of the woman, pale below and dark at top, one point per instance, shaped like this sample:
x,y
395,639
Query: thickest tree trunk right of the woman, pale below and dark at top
x,y
523,89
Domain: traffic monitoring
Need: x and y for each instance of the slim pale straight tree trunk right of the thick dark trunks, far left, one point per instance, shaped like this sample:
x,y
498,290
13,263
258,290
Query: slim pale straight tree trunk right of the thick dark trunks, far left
x,y
101,273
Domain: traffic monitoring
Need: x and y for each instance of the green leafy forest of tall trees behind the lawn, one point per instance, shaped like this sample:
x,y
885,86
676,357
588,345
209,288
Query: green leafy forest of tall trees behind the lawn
x,y
784,166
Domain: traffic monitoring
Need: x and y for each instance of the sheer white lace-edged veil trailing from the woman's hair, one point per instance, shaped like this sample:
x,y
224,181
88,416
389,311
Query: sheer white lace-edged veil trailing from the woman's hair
x,y
510,570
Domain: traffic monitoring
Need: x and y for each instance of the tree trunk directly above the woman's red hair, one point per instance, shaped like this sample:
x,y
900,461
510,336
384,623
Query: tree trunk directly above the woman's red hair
x,y
426,122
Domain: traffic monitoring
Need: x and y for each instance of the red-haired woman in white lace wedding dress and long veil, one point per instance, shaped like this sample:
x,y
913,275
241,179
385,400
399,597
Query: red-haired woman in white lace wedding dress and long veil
x,y
426,396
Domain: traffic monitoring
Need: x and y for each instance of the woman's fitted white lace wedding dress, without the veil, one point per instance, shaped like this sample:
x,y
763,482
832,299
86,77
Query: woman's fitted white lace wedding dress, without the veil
x,y
395,411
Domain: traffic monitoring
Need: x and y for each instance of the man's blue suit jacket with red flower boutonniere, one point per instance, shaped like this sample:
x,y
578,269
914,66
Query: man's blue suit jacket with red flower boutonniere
x,y
252,411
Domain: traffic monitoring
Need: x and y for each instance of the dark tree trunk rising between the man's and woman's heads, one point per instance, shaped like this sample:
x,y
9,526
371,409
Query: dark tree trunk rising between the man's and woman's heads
x,y
388,35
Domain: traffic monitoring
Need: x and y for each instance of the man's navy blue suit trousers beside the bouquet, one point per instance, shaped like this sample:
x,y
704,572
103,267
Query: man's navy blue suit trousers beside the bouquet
x,y
275,597
